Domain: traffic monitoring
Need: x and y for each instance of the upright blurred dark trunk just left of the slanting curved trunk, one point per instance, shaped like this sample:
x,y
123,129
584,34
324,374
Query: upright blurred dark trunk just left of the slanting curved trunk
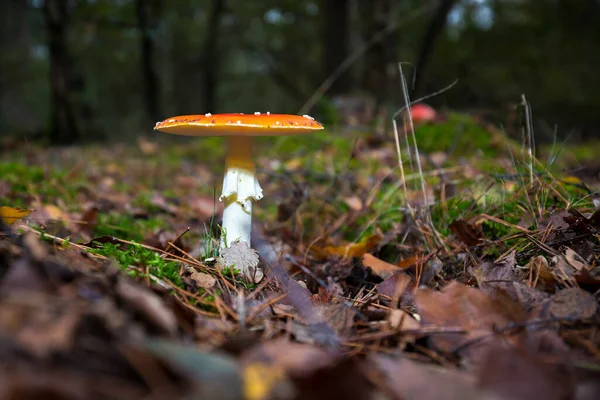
x,y
381,56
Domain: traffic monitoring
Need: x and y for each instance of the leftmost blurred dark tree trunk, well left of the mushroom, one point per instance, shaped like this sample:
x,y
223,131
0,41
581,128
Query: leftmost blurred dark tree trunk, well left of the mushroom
x,y
64,127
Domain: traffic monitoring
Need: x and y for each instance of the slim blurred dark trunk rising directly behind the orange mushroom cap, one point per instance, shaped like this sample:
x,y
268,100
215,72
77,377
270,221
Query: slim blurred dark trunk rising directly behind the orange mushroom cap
x,y
211,56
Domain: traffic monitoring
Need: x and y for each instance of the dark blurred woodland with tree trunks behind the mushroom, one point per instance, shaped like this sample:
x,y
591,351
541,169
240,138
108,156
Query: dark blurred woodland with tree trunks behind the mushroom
x,y
76,70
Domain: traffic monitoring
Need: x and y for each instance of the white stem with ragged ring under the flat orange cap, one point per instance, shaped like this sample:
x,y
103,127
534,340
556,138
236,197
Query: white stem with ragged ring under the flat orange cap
x,y
240,189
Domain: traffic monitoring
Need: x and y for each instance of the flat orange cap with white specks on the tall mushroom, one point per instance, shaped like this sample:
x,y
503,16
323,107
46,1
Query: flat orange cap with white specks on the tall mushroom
x,y
256,124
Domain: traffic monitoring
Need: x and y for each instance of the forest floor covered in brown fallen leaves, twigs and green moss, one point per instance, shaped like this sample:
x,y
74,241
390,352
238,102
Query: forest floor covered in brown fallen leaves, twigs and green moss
x,y
474,278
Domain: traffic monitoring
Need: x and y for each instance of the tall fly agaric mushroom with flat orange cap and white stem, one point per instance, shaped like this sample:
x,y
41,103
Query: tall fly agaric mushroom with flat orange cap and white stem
x,y
240,185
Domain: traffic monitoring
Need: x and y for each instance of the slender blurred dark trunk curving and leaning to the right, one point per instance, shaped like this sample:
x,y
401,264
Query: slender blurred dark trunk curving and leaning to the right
x,y
435,28
